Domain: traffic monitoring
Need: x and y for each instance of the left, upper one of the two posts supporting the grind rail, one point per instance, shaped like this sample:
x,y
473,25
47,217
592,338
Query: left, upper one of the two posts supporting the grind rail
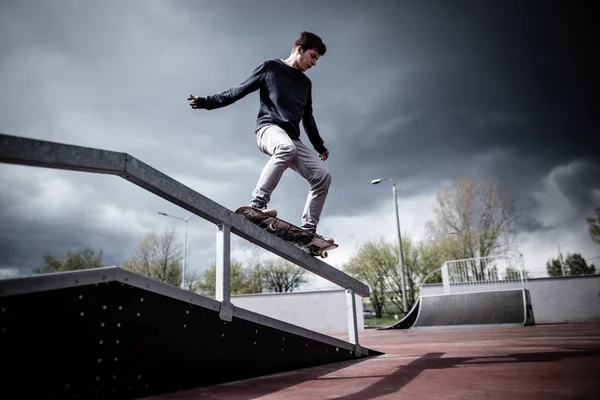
x,y
223,271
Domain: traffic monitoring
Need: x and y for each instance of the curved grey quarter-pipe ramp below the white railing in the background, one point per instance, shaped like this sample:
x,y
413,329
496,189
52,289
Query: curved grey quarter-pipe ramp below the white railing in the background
x,y
494,308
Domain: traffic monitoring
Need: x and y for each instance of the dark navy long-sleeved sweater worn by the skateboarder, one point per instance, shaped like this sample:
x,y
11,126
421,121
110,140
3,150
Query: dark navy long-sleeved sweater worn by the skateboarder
x,y
285,99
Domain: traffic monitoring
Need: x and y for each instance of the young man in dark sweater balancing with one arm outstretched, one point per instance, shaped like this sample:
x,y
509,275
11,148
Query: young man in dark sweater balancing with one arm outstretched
x,y
285,100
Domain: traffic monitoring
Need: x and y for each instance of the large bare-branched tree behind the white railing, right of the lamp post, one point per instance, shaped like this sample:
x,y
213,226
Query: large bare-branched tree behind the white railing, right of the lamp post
x,y
473,216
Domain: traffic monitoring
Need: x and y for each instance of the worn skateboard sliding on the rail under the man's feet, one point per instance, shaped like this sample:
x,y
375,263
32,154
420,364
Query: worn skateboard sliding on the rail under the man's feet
x,y
313,244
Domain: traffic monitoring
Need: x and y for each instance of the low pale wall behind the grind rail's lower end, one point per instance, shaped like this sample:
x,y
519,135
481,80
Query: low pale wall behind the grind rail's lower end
x,y
321,311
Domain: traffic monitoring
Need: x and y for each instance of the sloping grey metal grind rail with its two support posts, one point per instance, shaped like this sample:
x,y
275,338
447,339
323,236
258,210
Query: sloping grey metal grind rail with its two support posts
x,y
46,154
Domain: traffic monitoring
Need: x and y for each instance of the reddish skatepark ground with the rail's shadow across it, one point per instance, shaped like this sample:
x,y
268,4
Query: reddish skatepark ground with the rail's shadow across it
x,y
559,361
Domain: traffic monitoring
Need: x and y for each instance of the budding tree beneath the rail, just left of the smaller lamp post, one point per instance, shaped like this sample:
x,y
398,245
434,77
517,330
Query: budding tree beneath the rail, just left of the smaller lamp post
x,y
158,257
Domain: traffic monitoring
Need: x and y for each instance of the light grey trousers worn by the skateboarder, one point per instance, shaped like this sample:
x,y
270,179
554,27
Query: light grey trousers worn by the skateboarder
x,y
287,153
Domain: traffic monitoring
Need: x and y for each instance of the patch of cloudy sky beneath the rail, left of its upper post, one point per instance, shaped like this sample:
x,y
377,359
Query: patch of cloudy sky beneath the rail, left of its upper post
x,y
62,211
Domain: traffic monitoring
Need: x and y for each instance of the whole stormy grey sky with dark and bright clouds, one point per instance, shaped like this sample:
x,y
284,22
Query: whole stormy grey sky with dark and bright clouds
x,y
422,92
